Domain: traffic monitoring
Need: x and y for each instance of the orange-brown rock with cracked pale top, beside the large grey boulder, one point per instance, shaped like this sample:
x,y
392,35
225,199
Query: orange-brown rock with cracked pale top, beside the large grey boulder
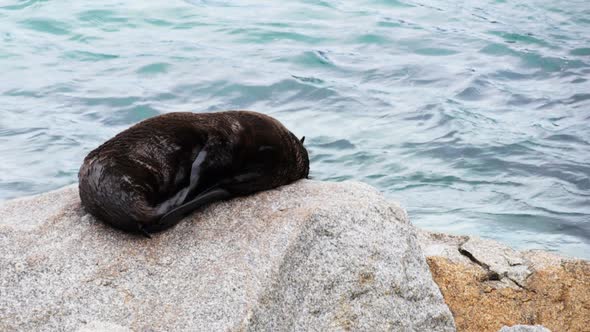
x,y
488,285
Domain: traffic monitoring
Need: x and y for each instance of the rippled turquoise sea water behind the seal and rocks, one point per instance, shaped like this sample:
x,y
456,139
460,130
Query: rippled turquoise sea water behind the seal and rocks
x,y
473,114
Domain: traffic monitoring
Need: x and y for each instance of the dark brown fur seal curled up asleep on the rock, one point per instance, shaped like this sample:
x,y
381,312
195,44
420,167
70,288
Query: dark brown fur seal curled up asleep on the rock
x,y
148,177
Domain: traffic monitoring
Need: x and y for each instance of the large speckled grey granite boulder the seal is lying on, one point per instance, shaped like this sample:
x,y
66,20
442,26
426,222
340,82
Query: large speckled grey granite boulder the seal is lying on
x,y
311,256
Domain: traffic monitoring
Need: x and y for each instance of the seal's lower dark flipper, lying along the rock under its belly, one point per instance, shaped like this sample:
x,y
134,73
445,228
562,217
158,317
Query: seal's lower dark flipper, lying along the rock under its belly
x,y
173,216
